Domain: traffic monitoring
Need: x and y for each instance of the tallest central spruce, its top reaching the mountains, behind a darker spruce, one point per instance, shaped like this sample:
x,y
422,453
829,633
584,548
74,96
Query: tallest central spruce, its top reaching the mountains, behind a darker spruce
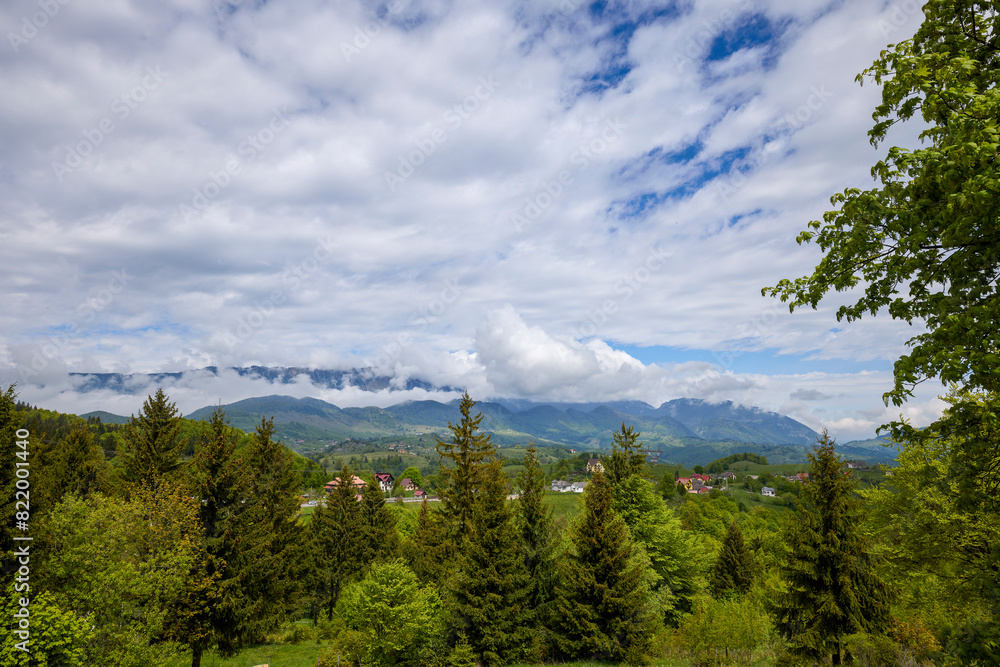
x,y
462,461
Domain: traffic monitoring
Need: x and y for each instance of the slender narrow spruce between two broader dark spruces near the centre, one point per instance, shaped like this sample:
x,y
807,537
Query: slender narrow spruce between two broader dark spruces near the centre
x,y
534,521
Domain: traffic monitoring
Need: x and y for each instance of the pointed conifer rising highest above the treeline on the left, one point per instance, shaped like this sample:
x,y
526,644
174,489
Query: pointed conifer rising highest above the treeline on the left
x,y
151,444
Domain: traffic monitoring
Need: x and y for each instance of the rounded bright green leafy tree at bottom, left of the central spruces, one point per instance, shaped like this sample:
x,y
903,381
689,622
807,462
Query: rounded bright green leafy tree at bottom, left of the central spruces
x,y
398,619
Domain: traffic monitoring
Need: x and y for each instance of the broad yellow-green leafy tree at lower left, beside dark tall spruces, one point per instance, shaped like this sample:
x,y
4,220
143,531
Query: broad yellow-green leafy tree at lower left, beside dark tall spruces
x,y
122,565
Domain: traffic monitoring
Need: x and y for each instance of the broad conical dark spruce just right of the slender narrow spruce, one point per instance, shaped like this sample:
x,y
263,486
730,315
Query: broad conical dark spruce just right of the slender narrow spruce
x,y
603,606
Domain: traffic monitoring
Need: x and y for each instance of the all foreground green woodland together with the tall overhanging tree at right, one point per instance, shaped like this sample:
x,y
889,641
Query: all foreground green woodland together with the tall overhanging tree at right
x,y
170,542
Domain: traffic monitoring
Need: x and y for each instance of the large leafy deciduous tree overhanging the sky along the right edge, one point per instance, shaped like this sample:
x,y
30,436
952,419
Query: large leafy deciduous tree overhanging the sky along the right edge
x,y
925,242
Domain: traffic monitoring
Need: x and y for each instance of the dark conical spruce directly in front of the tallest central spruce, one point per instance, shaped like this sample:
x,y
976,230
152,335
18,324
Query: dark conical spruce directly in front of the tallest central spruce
x,y
493,588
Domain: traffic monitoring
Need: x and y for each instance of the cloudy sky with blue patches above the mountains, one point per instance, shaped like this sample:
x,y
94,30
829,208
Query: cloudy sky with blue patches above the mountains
x,y
555,200
